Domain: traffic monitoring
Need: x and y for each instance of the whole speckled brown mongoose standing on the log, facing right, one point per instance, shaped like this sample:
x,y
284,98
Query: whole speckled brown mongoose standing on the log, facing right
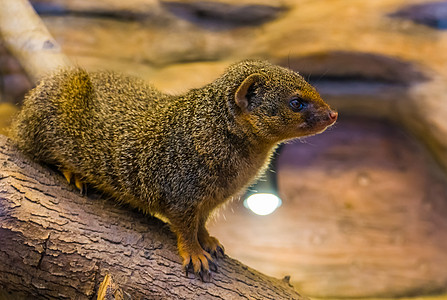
x,y
174,156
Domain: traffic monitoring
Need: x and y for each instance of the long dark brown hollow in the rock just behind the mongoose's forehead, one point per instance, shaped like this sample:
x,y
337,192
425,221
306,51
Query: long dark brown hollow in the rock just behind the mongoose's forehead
x,y
356,70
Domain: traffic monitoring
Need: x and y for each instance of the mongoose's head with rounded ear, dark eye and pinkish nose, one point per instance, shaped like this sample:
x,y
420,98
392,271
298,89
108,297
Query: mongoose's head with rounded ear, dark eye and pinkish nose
x,y
277,103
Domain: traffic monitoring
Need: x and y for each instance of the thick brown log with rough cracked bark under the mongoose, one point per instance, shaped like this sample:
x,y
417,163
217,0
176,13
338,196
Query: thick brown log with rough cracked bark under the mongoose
x,y
57,244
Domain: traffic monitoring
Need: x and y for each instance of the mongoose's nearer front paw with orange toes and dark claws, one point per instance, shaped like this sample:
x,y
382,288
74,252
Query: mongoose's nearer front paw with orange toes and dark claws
x,y
199,263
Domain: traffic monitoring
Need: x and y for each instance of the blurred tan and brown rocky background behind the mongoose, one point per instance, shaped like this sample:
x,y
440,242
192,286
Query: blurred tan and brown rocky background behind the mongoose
x,y
363,209
